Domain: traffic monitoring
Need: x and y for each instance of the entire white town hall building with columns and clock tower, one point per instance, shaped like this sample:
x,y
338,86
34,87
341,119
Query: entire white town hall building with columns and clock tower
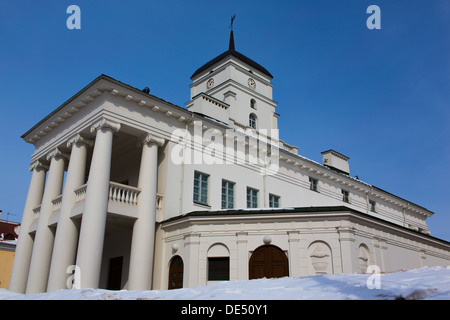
x,y
243,204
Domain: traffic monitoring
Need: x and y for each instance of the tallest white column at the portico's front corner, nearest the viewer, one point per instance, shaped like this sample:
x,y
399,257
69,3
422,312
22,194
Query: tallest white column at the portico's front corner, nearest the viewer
x,y
93,222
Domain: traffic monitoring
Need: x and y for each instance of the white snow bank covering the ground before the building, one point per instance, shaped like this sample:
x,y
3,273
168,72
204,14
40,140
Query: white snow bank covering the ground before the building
x,y
426,283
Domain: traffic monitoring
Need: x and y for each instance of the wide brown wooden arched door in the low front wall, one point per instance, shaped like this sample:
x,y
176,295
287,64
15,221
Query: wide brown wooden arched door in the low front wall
x,y
268,261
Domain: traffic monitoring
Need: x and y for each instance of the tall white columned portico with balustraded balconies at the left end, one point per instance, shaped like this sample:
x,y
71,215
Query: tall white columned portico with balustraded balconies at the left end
x,y
68,216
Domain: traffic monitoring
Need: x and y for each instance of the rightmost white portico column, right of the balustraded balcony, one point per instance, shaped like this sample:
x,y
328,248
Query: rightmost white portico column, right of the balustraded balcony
x,y
143,239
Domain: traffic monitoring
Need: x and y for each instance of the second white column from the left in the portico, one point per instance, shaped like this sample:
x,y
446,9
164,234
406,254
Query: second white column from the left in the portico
x,y
43,241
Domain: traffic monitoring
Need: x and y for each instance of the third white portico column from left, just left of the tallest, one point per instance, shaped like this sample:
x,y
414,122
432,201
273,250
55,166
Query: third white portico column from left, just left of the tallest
x,y
66,238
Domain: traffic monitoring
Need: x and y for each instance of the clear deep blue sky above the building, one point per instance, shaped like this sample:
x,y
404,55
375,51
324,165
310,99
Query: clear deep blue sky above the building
x,y
381,97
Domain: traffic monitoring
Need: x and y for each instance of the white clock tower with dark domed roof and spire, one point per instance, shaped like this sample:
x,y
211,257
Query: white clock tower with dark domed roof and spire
x,y
235,90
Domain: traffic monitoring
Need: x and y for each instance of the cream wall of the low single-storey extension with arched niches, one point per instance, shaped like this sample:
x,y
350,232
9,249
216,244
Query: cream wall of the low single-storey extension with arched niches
x,y
338,236
